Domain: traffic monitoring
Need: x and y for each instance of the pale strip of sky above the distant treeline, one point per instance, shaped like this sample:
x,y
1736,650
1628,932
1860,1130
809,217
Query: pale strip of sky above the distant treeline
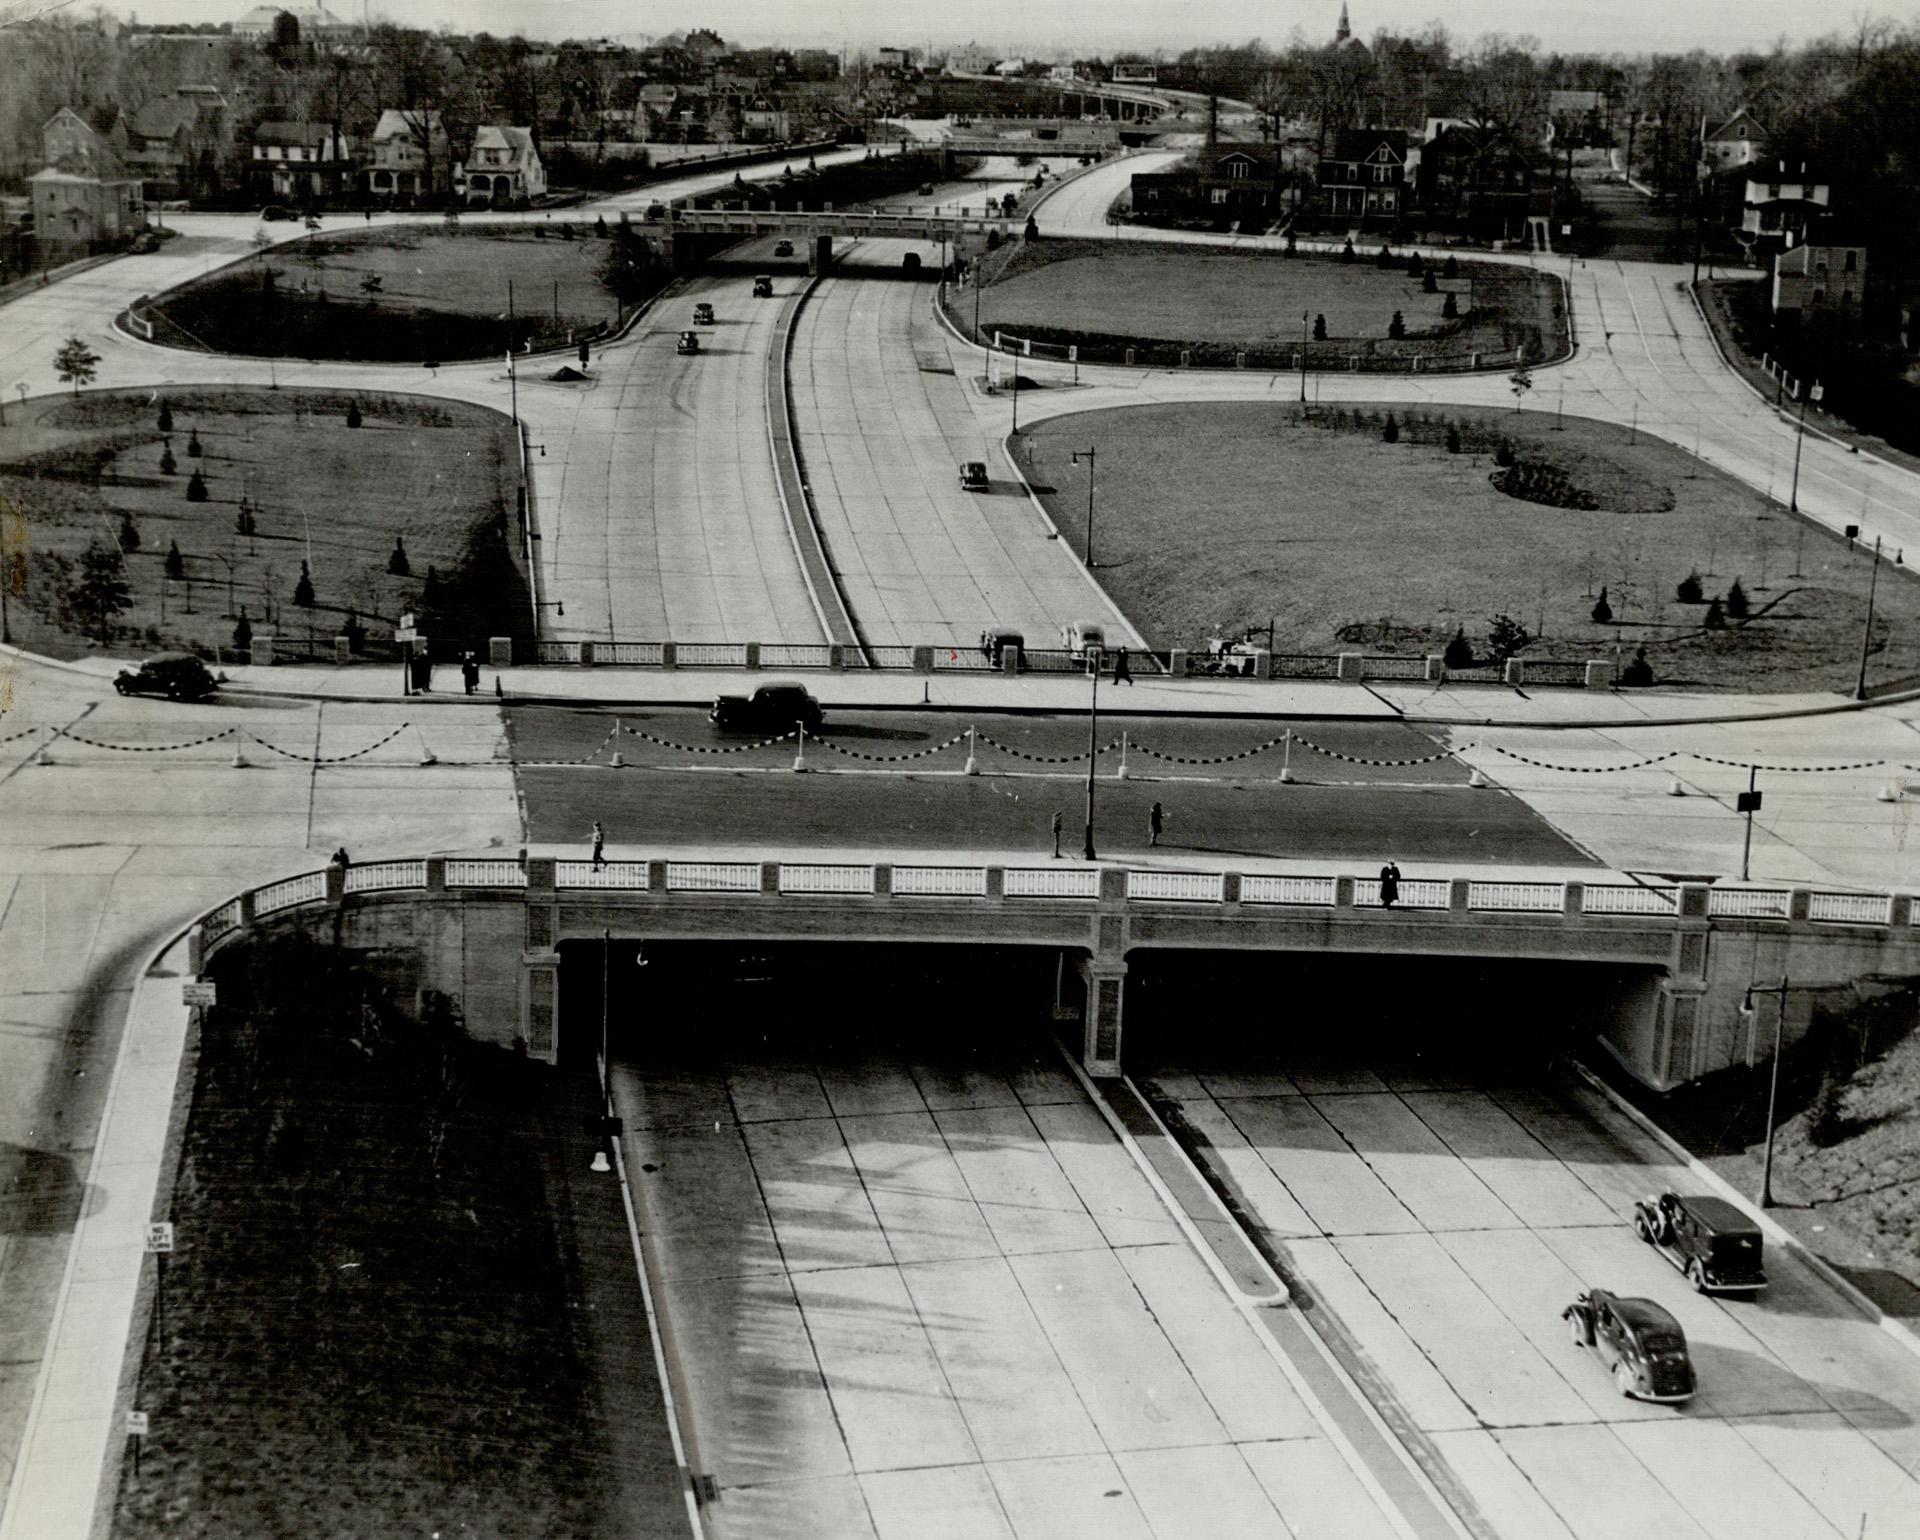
x,y
1090,26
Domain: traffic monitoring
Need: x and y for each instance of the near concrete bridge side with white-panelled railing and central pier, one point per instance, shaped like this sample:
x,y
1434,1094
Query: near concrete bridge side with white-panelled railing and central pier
x,y
1664,969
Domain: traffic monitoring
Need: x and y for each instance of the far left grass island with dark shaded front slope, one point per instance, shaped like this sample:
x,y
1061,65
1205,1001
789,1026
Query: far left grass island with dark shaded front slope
x,y
439,297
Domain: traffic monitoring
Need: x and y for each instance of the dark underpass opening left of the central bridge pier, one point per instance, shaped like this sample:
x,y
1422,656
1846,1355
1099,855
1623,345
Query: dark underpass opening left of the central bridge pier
x,y
715,1003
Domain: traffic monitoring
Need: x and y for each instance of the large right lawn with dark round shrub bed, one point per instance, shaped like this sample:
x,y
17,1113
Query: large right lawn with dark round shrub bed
x,y
1230,516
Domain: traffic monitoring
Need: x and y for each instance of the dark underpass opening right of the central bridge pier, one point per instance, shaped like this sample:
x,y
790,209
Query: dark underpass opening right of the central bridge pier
x,y
1399,1013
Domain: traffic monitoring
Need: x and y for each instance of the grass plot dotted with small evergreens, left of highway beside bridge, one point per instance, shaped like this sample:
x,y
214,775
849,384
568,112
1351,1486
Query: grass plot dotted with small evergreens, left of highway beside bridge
x,y
439,475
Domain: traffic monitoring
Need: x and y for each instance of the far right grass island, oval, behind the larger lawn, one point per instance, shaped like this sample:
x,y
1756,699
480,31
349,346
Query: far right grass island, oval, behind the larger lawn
x,y
1109,297
